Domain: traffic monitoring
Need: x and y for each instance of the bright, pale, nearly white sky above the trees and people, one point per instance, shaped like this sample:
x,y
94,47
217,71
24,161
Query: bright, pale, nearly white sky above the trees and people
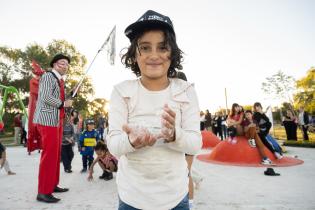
x,y
228,44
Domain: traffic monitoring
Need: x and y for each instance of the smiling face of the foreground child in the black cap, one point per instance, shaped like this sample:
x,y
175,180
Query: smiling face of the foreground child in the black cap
x,y
153,56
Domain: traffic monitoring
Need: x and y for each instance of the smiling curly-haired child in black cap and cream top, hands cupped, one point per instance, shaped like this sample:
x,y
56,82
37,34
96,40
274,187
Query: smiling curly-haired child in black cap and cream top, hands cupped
x,y
151,147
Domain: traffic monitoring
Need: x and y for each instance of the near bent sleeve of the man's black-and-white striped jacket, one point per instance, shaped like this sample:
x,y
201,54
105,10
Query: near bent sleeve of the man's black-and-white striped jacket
x,y
46,90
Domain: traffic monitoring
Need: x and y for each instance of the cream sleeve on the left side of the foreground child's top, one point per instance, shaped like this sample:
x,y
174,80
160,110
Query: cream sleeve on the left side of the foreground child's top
x,y
118,142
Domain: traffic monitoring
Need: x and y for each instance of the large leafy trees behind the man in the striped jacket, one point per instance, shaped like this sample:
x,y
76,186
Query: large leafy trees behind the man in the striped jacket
x,y
17,70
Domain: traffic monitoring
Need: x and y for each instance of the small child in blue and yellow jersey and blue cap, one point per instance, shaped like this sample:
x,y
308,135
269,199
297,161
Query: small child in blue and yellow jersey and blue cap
x,y
87,142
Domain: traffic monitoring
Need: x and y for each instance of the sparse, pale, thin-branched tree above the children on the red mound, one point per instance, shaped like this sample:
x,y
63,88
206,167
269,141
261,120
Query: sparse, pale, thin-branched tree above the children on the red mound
x,y
279,86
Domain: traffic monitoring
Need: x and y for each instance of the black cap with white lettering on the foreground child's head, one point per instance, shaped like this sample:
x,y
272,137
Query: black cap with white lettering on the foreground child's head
x,y
150,19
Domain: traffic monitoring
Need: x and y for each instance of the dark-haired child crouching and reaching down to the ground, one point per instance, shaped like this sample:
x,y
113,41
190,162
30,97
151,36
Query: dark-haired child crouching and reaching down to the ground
x,y
106,161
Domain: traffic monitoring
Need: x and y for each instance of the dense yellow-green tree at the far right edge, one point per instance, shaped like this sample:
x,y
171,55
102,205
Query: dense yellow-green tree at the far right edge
x,y
305,95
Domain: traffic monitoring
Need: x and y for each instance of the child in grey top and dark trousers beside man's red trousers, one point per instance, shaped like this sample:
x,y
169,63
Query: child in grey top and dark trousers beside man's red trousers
x,y
67,143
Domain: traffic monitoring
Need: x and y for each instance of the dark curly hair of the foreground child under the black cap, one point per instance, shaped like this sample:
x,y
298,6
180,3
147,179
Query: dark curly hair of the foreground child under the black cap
x,y
129,58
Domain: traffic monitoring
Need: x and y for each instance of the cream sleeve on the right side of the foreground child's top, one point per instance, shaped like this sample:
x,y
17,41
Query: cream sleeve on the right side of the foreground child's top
x,y
187,135
